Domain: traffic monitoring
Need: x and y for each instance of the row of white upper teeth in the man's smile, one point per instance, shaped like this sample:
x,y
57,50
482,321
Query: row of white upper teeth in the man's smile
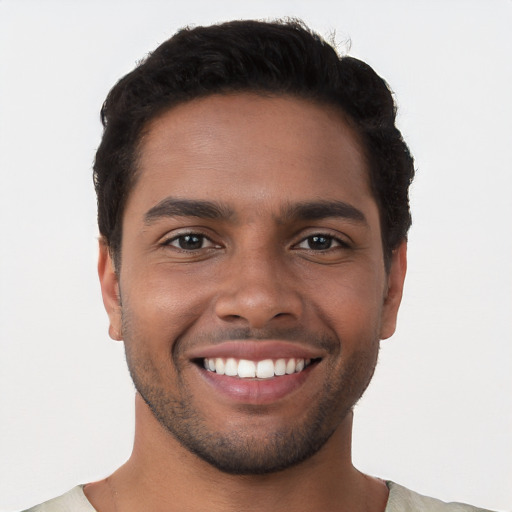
x,y
246,369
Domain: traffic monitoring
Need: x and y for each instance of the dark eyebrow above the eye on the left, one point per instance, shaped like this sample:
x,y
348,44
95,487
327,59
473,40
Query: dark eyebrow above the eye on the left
x,y
172,207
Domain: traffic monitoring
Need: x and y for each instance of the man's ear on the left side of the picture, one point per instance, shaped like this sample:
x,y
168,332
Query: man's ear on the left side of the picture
x,y
110,290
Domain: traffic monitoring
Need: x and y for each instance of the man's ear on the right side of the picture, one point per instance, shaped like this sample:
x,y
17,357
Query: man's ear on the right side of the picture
x,y
395,288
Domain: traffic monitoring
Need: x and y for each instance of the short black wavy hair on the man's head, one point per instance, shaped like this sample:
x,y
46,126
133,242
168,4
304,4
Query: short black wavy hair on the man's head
x,y
280,58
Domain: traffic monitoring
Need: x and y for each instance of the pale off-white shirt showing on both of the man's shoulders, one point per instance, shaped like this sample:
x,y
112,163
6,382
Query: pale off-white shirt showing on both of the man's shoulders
x,y
400,500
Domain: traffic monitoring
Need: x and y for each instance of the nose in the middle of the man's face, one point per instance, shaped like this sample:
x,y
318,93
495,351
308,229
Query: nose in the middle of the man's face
x,y
258,289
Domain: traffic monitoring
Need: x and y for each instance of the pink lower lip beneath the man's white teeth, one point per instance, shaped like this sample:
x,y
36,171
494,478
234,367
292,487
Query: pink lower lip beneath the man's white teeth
x,y
256,391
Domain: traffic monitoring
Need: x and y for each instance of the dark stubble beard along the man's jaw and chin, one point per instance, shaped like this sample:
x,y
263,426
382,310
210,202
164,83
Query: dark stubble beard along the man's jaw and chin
x,y
242,452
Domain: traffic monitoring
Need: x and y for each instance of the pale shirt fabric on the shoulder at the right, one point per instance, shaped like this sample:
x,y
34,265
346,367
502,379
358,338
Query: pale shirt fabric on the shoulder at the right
x,y
403,500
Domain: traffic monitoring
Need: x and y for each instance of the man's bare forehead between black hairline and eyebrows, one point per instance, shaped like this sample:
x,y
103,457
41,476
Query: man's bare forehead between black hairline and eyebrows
x,y
250,149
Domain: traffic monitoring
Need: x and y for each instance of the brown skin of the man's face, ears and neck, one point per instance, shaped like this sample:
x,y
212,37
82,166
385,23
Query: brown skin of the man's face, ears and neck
x,y
256,277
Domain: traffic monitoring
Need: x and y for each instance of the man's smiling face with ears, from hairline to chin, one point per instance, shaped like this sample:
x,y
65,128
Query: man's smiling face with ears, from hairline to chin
x,y
252,292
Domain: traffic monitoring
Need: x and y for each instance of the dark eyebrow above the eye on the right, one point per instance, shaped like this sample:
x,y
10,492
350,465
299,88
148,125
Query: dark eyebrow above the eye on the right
x,y
317,210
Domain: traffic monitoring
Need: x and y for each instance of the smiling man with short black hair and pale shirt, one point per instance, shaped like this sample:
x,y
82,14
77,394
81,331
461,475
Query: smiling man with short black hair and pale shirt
x,y
253,211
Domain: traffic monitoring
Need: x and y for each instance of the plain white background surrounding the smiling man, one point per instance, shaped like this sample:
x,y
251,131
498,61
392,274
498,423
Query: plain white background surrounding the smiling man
x,y
438,416
